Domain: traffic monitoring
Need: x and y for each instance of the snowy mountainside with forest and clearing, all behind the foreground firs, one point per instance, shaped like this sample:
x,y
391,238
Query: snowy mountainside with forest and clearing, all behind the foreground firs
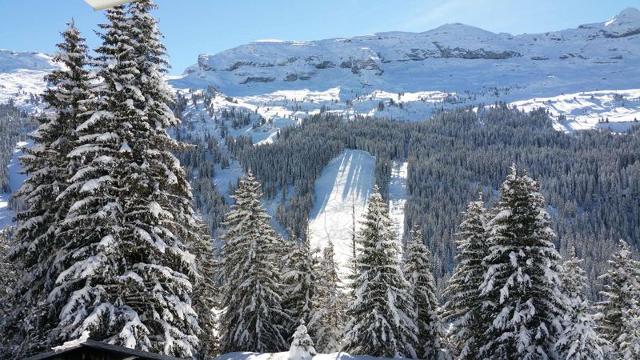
x,y
432,118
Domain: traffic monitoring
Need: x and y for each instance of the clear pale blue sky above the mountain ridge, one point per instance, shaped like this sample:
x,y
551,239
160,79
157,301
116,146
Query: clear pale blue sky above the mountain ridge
x,y
192,27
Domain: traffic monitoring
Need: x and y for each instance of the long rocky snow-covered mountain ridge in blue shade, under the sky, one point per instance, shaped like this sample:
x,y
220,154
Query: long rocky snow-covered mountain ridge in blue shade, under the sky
x,y
452,57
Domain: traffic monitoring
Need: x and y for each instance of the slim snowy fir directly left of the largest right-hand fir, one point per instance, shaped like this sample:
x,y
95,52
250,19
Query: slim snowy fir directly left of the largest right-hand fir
x,y
463,309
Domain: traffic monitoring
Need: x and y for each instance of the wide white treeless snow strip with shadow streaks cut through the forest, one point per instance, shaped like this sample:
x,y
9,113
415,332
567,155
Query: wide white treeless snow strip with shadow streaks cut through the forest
x,y
343,187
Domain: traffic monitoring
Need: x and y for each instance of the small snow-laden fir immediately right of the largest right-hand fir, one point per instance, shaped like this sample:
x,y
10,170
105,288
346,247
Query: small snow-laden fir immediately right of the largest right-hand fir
x,y
579,339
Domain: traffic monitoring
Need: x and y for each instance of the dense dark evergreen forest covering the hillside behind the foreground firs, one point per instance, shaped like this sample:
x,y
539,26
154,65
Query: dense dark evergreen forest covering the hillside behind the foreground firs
x,y
592,178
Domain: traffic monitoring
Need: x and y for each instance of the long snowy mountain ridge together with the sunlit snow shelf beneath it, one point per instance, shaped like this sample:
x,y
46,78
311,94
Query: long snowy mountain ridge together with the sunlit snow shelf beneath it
x,y
408,76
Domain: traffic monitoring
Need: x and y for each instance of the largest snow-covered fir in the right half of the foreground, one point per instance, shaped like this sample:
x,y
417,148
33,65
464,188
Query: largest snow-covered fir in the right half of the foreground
x,y
521,287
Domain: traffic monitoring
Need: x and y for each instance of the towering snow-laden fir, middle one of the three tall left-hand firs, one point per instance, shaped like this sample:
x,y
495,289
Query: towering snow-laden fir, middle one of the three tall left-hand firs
x,y
87,293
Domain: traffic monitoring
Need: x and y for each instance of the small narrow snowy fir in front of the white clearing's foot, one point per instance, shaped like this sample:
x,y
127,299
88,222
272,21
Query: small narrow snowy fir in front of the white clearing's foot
x,y
329,304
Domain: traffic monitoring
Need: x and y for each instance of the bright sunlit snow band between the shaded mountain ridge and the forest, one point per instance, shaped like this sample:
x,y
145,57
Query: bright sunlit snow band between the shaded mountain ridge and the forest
x,y
572,111
